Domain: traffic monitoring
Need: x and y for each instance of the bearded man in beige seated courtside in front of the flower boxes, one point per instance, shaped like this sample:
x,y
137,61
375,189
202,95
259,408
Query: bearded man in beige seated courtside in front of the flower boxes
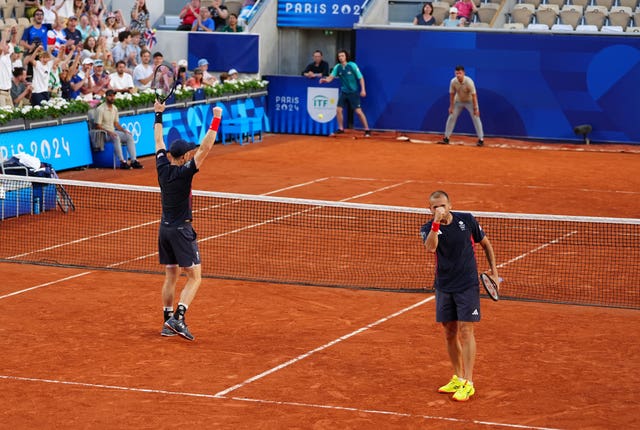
x,y
108,119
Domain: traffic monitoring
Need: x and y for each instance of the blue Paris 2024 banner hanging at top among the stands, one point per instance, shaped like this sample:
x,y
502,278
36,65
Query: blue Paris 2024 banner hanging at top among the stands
x,y
321,14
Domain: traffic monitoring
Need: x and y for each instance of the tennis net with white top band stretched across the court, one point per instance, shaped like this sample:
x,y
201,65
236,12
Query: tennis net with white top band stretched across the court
x,y
560,259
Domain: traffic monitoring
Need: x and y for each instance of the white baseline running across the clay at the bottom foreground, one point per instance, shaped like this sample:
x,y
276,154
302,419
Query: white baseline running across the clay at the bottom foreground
x,y
268,402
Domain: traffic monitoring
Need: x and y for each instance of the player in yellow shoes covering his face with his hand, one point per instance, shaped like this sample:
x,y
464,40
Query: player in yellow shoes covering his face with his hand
x,y
451,236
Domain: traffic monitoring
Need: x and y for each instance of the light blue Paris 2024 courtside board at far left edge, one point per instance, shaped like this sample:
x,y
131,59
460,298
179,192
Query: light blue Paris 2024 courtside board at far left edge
x,y
63,146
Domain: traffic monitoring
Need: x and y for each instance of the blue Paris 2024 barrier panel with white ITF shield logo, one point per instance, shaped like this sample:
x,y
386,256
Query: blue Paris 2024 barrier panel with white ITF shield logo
x,y
299,105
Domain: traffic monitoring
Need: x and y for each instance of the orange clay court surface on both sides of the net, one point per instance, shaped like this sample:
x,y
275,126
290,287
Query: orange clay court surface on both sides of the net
x,y
83,350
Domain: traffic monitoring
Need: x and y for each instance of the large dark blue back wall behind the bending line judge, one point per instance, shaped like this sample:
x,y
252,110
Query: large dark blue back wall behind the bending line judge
x,y
529,85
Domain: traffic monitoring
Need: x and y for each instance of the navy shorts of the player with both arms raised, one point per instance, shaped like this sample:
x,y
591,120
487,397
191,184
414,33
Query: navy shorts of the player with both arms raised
x,y
177,245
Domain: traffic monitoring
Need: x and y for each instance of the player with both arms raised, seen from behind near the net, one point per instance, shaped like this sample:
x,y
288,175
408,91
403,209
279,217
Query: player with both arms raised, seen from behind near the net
x,y
178,248
